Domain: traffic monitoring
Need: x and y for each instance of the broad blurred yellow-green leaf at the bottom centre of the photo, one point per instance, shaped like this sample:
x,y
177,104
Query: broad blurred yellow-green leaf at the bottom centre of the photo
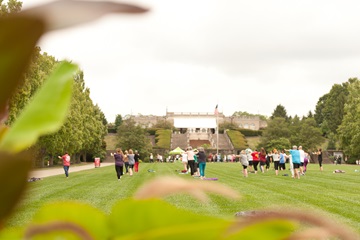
x,y
156,219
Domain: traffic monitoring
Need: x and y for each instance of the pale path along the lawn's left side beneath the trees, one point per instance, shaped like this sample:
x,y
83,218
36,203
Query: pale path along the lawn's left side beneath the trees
x,y
47,172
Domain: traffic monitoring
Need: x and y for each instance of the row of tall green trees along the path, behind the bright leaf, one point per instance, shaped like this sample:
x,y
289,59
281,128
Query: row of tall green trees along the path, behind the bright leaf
x,y
83,132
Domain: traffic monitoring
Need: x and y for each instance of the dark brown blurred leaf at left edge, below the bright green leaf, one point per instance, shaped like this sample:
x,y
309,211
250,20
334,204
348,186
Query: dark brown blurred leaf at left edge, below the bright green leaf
x,y
14,171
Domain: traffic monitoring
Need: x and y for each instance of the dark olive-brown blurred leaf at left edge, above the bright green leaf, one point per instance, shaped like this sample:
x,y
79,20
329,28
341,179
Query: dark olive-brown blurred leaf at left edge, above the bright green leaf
x,y
18,36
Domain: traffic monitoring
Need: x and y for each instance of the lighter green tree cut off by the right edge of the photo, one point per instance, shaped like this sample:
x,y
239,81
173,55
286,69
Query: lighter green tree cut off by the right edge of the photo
x,y
349,129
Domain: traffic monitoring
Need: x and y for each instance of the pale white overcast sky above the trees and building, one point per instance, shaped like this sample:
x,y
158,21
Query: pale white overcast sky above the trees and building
x,y
189,55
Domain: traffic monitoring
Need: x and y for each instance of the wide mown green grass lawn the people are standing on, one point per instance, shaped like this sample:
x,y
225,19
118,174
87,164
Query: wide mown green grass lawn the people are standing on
x,y
334,195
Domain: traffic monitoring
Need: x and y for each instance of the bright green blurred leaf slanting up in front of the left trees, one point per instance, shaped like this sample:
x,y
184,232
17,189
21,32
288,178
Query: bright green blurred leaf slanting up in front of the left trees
x,y
46,112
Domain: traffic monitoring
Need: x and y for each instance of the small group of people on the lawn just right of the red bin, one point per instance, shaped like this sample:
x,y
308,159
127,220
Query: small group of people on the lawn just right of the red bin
x,y
129,159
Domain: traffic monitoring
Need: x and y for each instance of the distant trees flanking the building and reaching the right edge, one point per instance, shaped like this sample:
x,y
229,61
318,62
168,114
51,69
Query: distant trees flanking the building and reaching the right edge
x,y
336,121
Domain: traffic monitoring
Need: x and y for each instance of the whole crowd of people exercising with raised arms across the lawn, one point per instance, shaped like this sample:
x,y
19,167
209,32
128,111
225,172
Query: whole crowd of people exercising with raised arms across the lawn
x,y
194,161
